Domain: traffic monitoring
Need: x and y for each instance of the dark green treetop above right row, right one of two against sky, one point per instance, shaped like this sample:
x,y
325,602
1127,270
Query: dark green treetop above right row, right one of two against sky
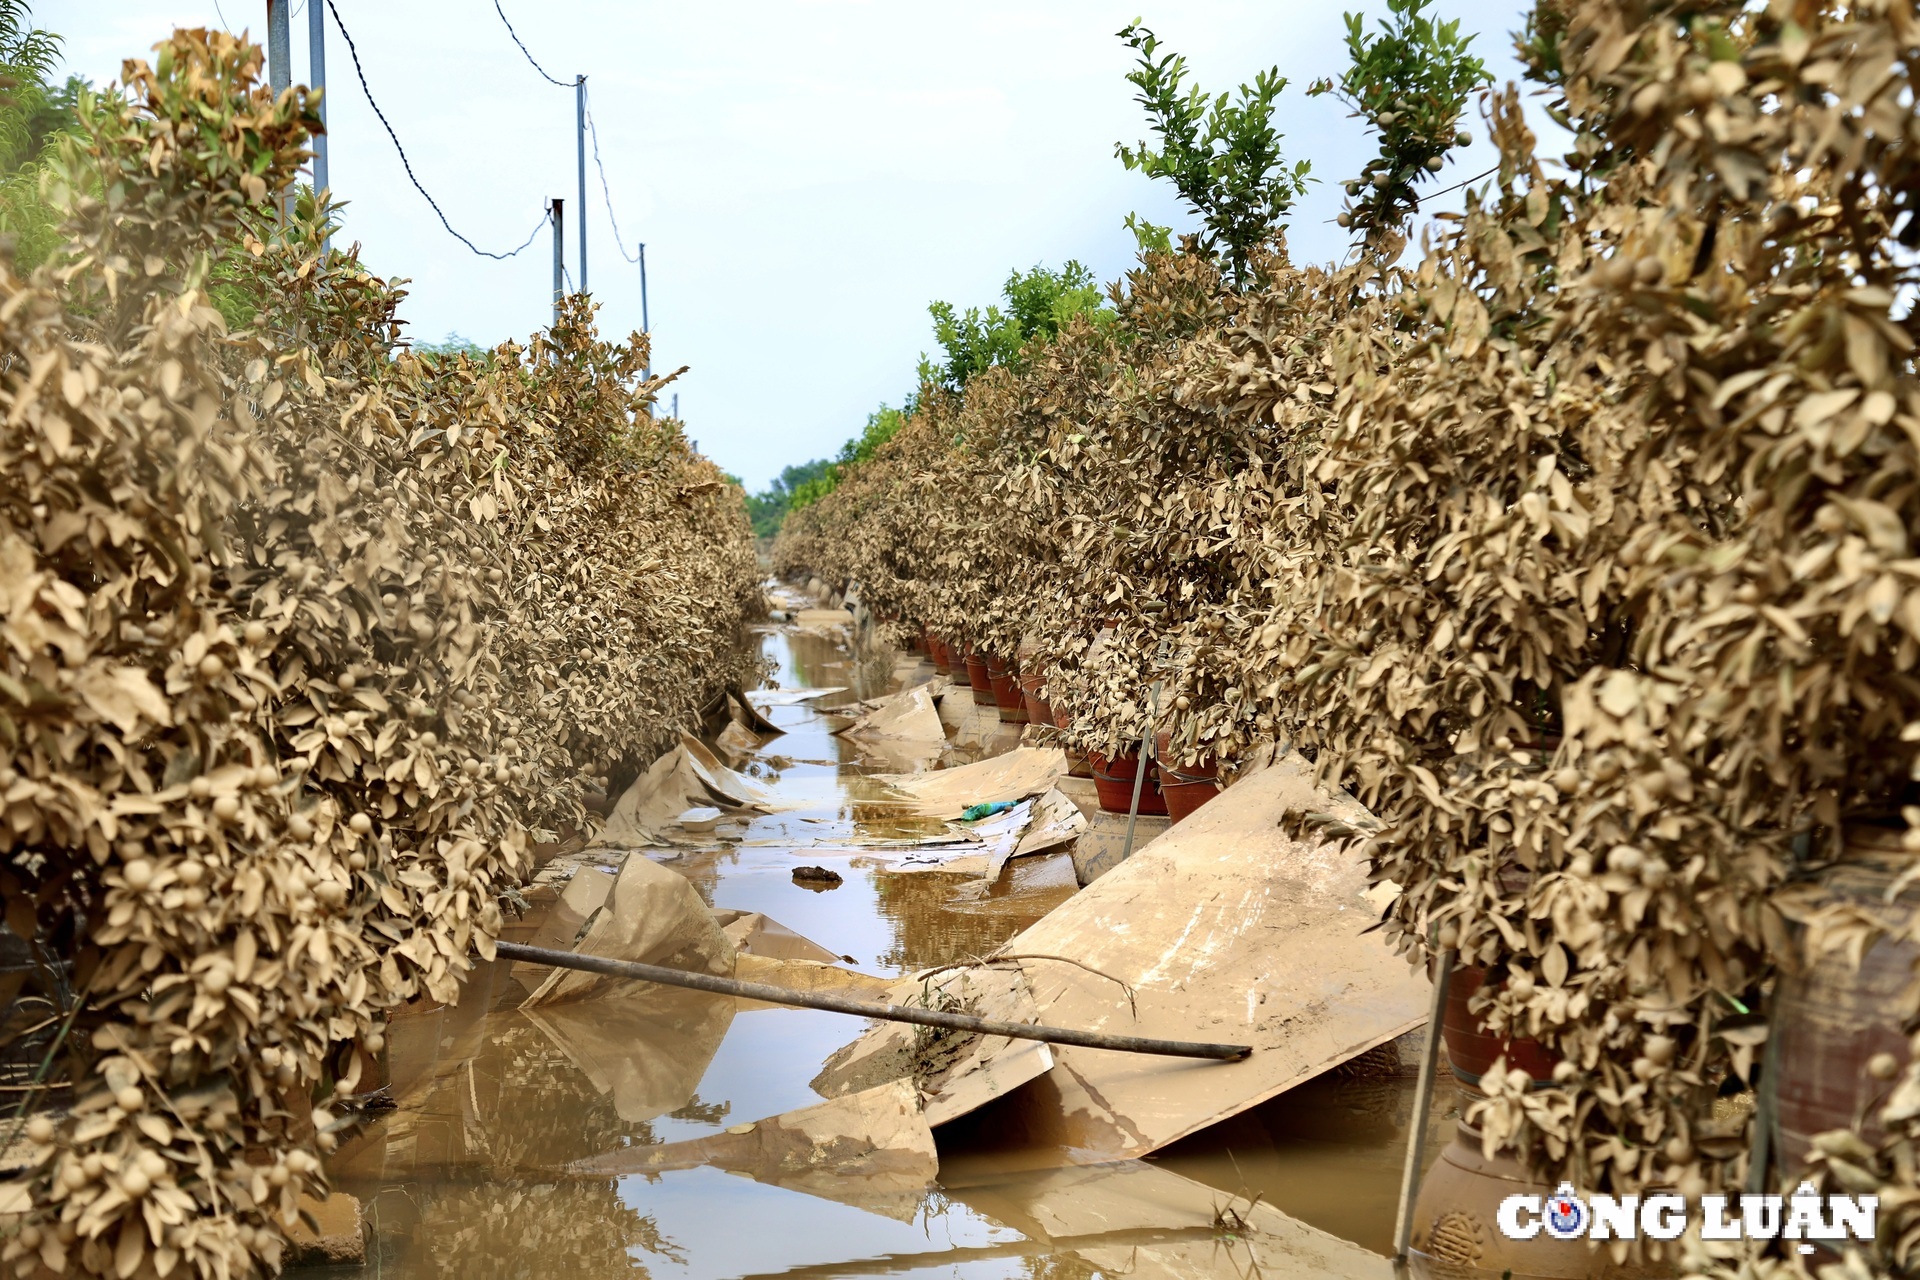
x,y
1410,82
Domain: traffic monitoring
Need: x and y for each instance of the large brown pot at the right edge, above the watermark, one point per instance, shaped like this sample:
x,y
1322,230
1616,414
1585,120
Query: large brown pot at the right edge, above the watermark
x,y
1833,1018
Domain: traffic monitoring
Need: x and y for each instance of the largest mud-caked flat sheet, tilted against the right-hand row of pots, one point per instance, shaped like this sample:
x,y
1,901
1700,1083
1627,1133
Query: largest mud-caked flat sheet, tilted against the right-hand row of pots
x,y
1224,930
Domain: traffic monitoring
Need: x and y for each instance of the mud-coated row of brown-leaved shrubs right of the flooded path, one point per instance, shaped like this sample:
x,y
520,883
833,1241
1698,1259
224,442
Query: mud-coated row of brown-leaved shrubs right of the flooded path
x,y
1575,542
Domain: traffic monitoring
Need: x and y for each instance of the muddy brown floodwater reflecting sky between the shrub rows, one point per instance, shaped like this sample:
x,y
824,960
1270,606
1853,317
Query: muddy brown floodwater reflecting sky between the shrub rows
x,y
473,1173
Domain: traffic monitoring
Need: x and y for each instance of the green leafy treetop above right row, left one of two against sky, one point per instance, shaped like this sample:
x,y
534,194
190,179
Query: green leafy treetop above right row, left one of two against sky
x,y
1222,154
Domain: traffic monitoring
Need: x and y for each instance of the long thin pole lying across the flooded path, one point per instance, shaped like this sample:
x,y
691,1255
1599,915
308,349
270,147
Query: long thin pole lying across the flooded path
x,y
865,1008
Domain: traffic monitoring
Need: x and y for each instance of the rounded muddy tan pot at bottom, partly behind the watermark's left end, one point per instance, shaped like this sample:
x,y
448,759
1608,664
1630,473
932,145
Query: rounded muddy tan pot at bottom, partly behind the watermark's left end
x,y
1456,1221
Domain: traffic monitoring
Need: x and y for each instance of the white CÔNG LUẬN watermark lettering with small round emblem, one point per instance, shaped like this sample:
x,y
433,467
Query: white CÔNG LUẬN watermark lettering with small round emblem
x,y
1664,1216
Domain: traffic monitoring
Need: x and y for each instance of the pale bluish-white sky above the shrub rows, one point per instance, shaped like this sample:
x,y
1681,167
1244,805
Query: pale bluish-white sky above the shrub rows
x,y
807,174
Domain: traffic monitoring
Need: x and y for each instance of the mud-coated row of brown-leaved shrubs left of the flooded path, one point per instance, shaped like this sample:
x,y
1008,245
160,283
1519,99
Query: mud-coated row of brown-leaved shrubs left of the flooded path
x,y
308,644
